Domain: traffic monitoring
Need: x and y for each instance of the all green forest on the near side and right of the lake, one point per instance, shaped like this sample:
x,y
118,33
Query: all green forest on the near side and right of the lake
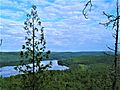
x,y
85,73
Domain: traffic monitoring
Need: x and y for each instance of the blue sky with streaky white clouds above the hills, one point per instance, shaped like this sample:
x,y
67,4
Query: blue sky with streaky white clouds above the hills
x,y
66,29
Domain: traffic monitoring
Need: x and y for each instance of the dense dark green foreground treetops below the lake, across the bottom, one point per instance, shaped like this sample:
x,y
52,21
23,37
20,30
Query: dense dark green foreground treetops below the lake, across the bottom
x,y
94,77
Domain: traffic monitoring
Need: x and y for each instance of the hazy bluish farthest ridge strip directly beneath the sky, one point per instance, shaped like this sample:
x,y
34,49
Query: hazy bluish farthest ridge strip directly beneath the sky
x,y
53,55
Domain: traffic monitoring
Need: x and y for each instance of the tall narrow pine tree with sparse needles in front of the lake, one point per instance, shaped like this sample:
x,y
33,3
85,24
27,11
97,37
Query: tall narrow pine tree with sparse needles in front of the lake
x,y
33,51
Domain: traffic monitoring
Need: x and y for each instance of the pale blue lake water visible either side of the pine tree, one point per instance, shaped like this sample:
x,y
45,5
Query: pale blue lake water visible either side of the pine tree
x,y
8,71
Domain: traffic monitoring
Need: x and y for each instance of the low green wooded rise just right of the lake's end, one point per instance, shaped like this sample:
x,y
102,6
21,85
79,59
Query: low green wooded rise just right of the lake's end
x,y
88,59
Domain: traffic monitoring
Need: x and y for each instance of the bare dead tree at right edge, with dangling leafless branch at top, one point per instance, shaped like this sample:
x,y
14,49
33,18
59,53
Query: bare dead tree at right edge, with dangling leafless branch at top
x,y
113,20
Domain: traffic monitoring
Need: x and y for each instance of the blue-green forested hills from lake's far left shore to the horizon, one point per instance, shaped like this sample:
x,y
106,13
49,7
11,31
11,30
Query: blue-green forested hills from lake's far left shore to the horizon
x,y
12,58
